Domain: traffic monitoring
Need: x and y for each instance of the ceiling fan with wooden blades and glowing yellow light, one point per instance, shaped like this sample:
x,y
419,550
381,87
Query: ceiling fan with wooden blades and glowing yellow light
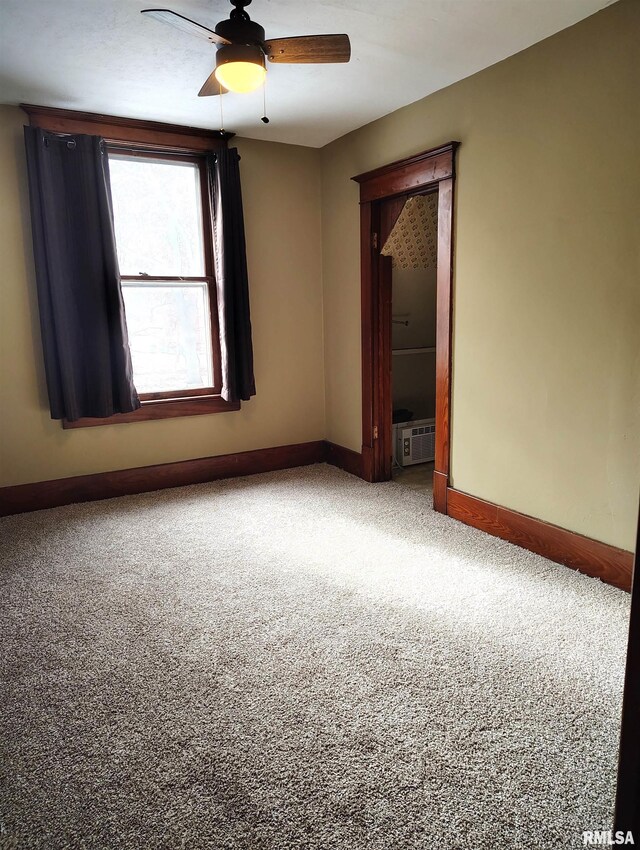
x,y
242,48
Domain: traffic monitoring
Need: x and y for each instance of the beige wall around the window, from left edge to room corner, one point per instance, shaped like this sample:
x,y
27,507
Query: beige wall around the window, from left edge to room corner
x,y
281,189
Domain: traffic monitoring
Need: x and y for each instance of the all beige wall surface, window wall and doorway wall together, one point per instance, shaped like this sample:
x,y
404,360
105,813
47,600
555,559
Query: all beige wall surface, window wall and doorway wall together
x,y
546,377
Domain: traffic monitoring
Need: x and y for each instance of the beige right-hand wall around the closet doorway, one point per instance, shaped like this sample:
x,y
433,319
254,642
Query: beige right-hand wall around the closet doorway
x,y
546,376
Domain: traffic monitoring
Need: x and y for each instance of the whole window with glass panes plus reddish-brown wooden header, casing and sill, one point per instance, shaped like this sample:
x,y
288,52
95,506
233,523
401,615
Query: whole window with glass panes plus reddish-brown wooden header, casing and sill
x,y
164,239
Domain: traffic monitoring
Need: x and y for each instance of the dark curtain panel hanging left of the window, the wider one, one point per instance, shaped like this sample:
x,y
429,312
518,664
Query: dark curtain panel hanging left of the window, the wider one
x,y
84,331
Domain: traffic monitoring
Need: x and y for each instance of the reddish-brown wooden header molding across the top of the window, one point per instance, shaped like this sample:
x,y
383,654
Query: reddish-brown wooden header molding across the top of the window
x,y
117,130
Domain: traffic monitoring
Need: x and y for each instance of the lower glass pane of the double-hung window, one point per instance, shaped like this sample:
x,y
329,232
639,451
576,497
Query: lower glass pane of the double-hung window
x,y
169,335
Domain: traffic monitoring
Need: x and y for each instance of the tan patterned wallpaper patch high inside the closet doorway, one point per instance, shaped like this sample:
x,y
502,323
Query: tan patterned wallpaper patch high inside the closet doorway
x,y
413,241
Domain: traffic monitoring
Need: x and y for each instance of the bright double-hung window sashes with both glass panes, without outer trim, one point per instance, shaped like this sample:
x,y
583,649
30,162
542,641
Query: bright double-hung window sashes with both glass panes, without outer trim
x,y
160,207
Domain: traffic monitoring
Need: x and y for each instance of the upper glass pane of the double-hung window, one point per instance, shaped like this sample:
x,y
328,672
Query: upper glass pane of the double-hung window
x,y
157,210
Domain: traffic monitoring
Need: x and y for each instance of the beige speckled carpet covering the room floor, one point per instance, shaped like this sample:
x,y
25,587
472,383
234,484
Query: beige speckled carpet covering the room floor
x,y
299,660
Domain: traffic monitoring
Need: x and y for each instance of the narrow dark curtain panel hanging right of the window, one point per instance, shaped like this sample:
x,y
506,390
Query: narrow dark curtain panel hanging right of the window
x,y
231,276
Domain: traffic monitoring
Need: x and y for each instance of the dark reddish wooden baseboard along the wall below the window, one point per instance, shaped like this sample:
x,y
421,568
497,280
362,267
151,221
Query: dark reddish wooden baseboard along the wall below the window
x,y
124,482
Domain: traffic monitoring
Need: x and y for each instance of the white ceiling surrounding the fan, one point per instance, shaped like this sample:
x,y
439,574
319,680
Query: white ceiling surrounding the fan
x,y
104,56
